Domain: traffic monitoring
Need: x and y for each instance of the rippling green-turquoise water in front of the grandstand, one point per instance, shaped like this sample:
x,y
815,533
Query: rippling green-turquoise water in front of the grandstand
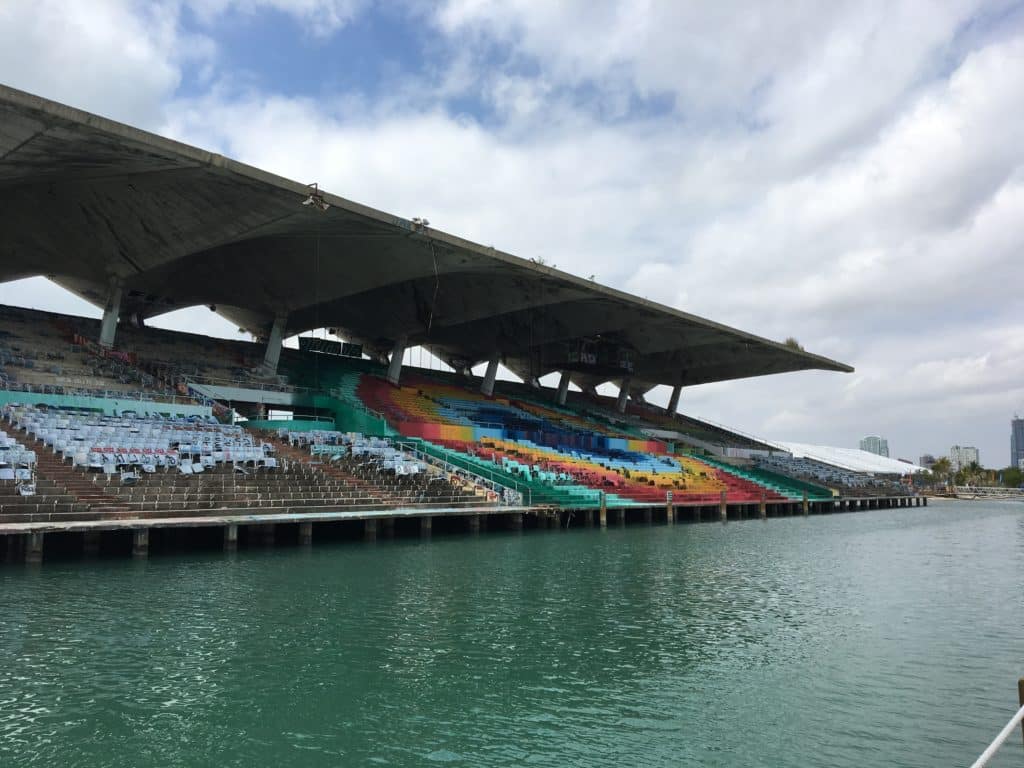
x,y
881,638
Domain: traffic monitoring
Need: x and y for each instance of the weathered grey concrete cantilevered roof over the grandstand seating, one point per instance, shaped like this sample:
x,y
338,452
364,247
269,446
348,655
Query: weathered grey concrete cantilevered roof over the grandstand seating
x,y
89,202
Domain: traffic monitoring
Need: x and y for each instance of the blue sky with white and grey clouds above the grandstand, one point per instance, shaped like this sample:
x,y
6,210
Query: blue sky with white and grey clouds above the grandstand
x,y
851,175
